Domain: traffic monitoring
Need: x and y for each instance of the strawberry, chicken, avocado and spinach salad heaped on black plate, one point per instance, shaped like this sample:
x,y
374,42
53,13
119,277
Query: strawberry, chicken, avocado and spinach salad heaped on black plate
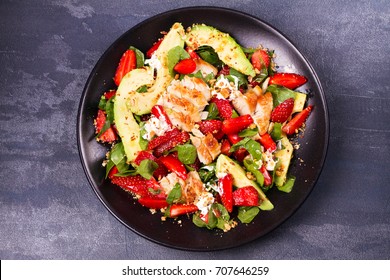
x,y
201,126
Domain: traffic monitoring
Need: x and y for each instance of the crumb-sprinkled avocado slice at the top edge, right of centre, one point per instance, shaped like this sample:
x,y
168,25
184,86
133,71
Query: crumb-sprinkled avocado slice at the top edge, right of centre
x,y
224,45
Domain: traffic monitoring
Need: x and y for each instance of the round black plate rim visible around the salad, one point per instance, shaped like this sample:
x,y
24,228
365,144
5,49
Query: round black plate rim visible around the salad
x,y
249,32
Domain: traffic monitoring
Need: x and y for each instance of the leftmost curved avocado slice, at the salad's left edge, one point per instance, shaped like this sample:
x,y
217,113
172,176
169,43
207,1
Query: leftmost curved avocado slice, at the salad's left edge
x,y
127,127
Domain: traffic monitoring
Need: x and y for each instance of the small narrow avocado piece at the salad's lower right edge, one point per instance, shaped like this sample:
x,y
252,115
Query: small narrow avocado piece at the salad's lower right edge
x,y
284,157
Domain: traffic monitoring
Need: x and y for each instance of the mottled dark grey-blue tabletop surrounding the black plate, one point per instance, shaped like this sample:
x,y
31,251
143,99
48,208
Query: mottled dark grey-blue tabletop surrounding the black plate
x,y
49,211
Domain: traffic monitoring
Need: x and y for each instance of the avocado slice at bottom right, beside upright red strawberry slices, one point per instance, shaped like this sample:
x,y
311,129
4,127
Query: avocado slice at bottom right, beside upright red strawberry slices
x,y
227,165
